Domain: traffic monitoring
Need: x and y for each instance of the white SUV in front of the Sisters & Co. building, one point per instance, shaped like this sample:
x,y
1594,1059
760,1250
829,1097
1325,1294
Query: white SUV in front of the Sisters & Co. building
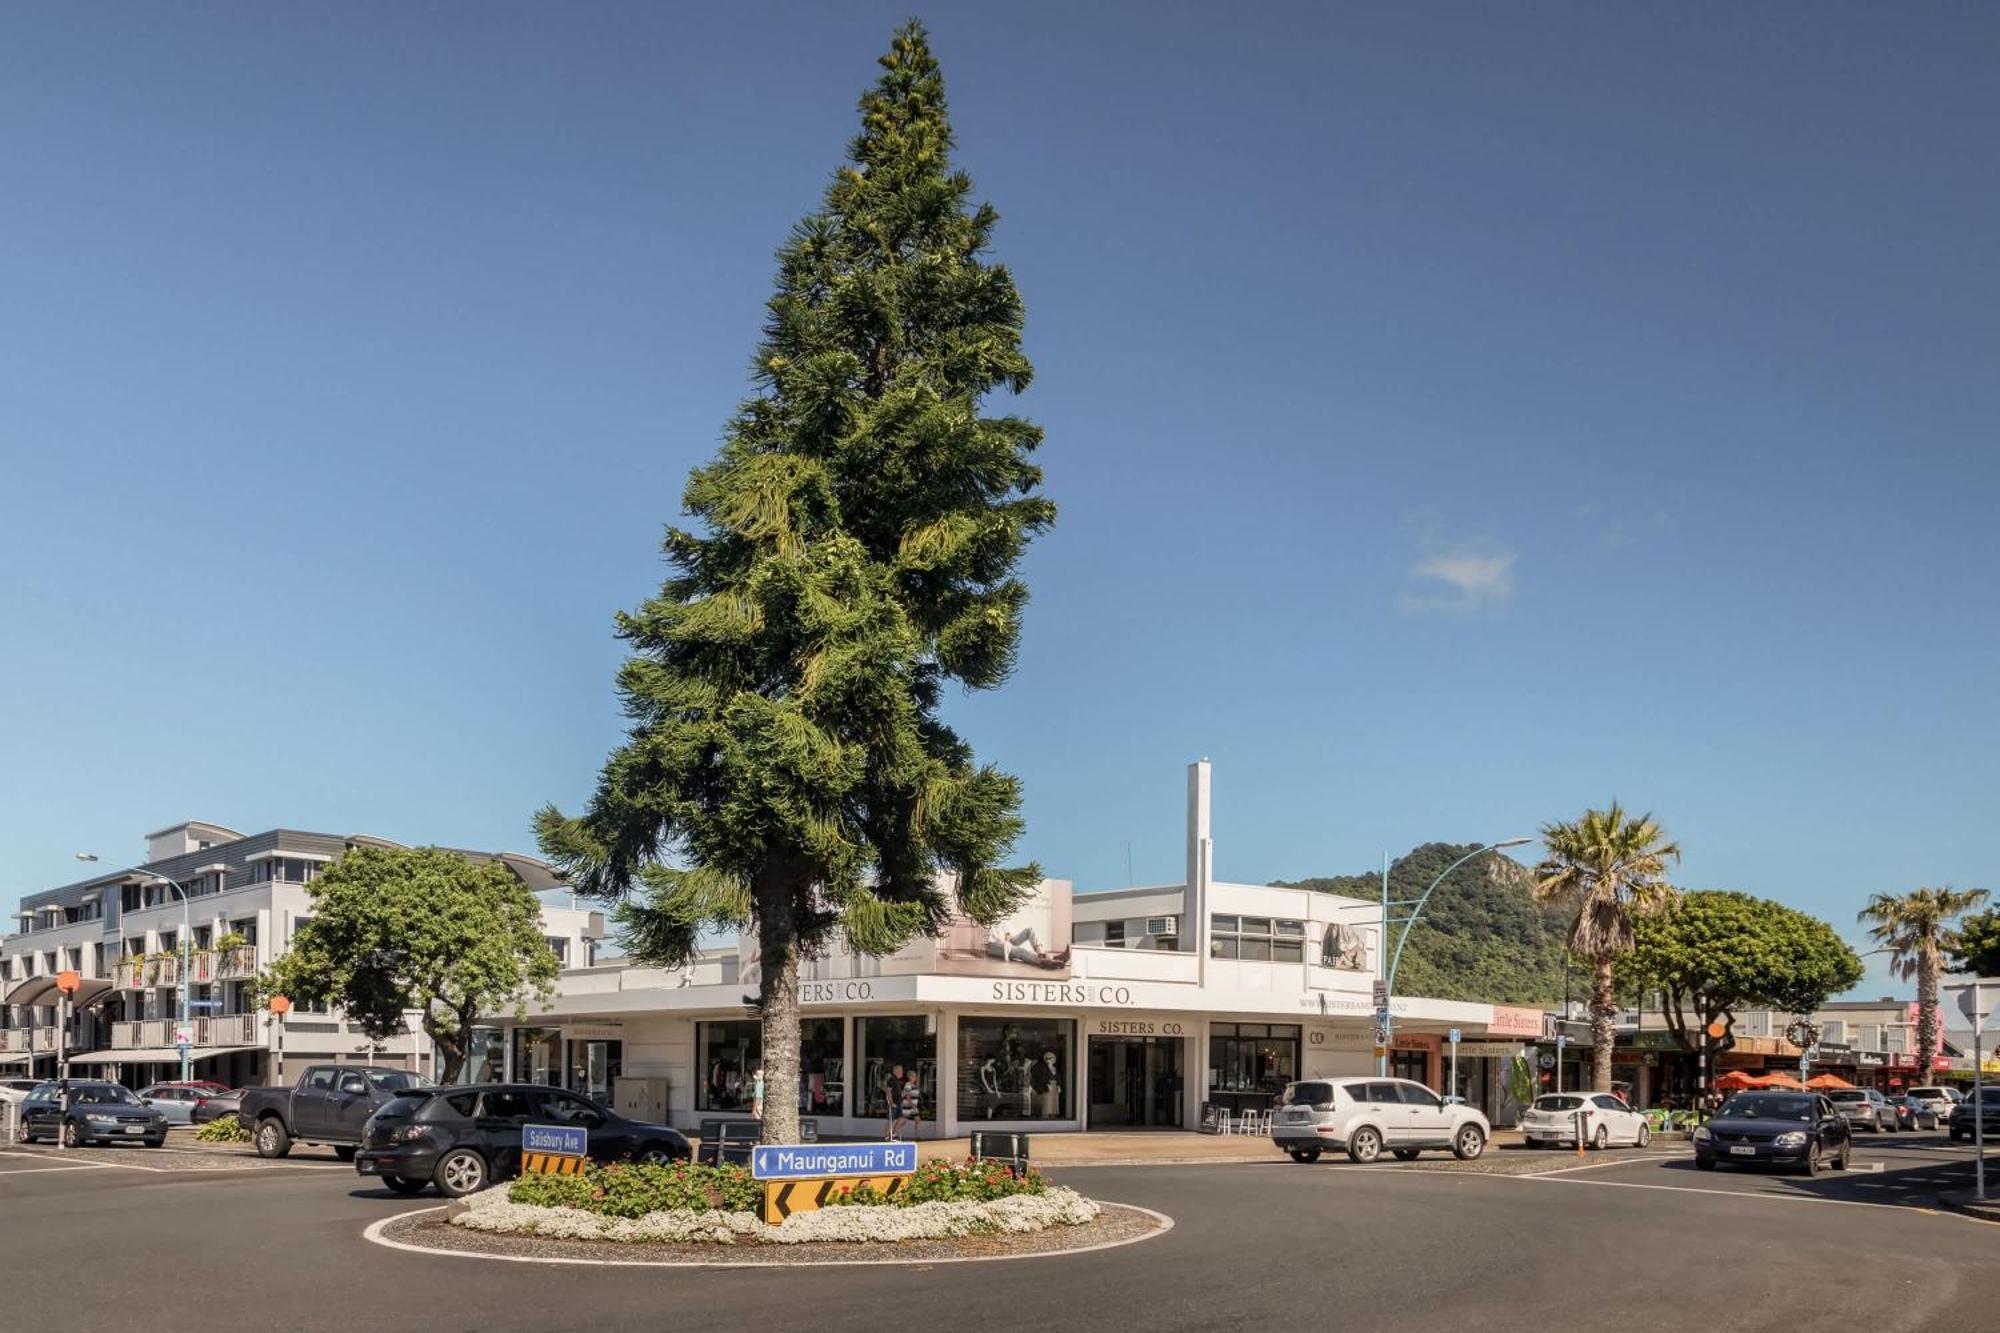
x,y
1367,1116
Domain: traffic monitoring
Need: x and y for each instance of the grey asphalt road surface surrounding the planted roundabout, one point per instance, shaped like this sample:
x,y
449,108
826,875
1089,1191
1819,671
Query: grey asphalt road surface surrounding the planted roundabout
x,y
115,1238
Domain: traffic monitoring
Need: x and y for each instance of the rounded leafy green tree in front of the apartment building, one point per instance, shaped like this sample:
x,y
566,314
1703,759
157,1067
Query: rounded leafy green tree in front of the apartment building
x,y
419,928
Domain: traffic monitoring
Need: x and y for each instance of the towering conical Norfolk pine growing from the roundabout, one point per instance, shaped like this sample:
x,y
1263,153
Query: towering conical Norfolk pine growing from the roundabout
x,y
853,555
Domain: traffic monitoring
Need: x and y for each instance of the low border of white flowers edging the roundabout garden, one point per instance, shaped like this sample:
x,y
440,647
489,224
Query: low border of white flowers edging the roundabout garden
x,y
925,1222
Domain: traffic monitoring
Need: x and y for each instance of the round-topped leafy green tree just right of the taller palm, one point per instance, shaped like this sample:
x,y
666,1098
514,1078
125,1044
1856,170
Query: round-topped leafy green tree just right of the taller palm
x,y
1717,952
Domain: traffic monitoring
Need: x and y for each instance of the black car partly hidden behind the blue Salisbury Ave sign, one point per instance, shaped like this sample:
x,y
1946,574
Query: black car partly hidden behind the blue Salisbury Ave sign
x,y
467,1138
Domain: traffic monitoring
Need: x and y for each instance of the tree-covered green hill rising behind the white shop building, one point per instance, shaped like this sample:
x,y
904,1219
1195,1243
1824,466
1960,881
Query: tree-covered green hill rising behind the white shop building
x,y
1483,936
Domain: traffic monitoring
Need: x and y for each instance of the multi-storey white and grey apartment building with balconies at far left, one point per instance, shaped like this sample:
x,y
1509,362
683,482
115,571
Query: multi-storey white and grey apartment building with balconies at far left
x,y
247,898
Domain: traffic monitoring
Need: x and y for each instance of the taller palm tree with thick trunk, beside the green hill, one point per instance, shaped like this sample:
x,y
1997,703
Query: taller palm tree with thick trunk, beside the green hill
x,y
1611,868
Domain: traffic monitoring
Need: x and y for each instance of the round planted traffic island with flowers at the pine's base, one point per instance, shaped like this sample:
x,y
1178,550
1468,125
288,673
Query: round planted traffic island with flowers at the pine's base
x,y
709,1216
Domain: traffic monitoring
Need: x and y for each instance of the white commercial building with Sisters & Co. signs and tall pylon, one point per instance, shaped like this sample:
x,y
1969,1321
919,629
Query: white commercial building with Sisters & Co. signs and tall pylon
x,y
1141,1008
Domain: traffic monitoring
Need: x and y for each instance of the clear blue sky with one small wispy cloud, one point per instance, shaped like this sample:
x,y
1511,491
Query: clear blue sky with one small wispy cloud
x,y
1461,415
